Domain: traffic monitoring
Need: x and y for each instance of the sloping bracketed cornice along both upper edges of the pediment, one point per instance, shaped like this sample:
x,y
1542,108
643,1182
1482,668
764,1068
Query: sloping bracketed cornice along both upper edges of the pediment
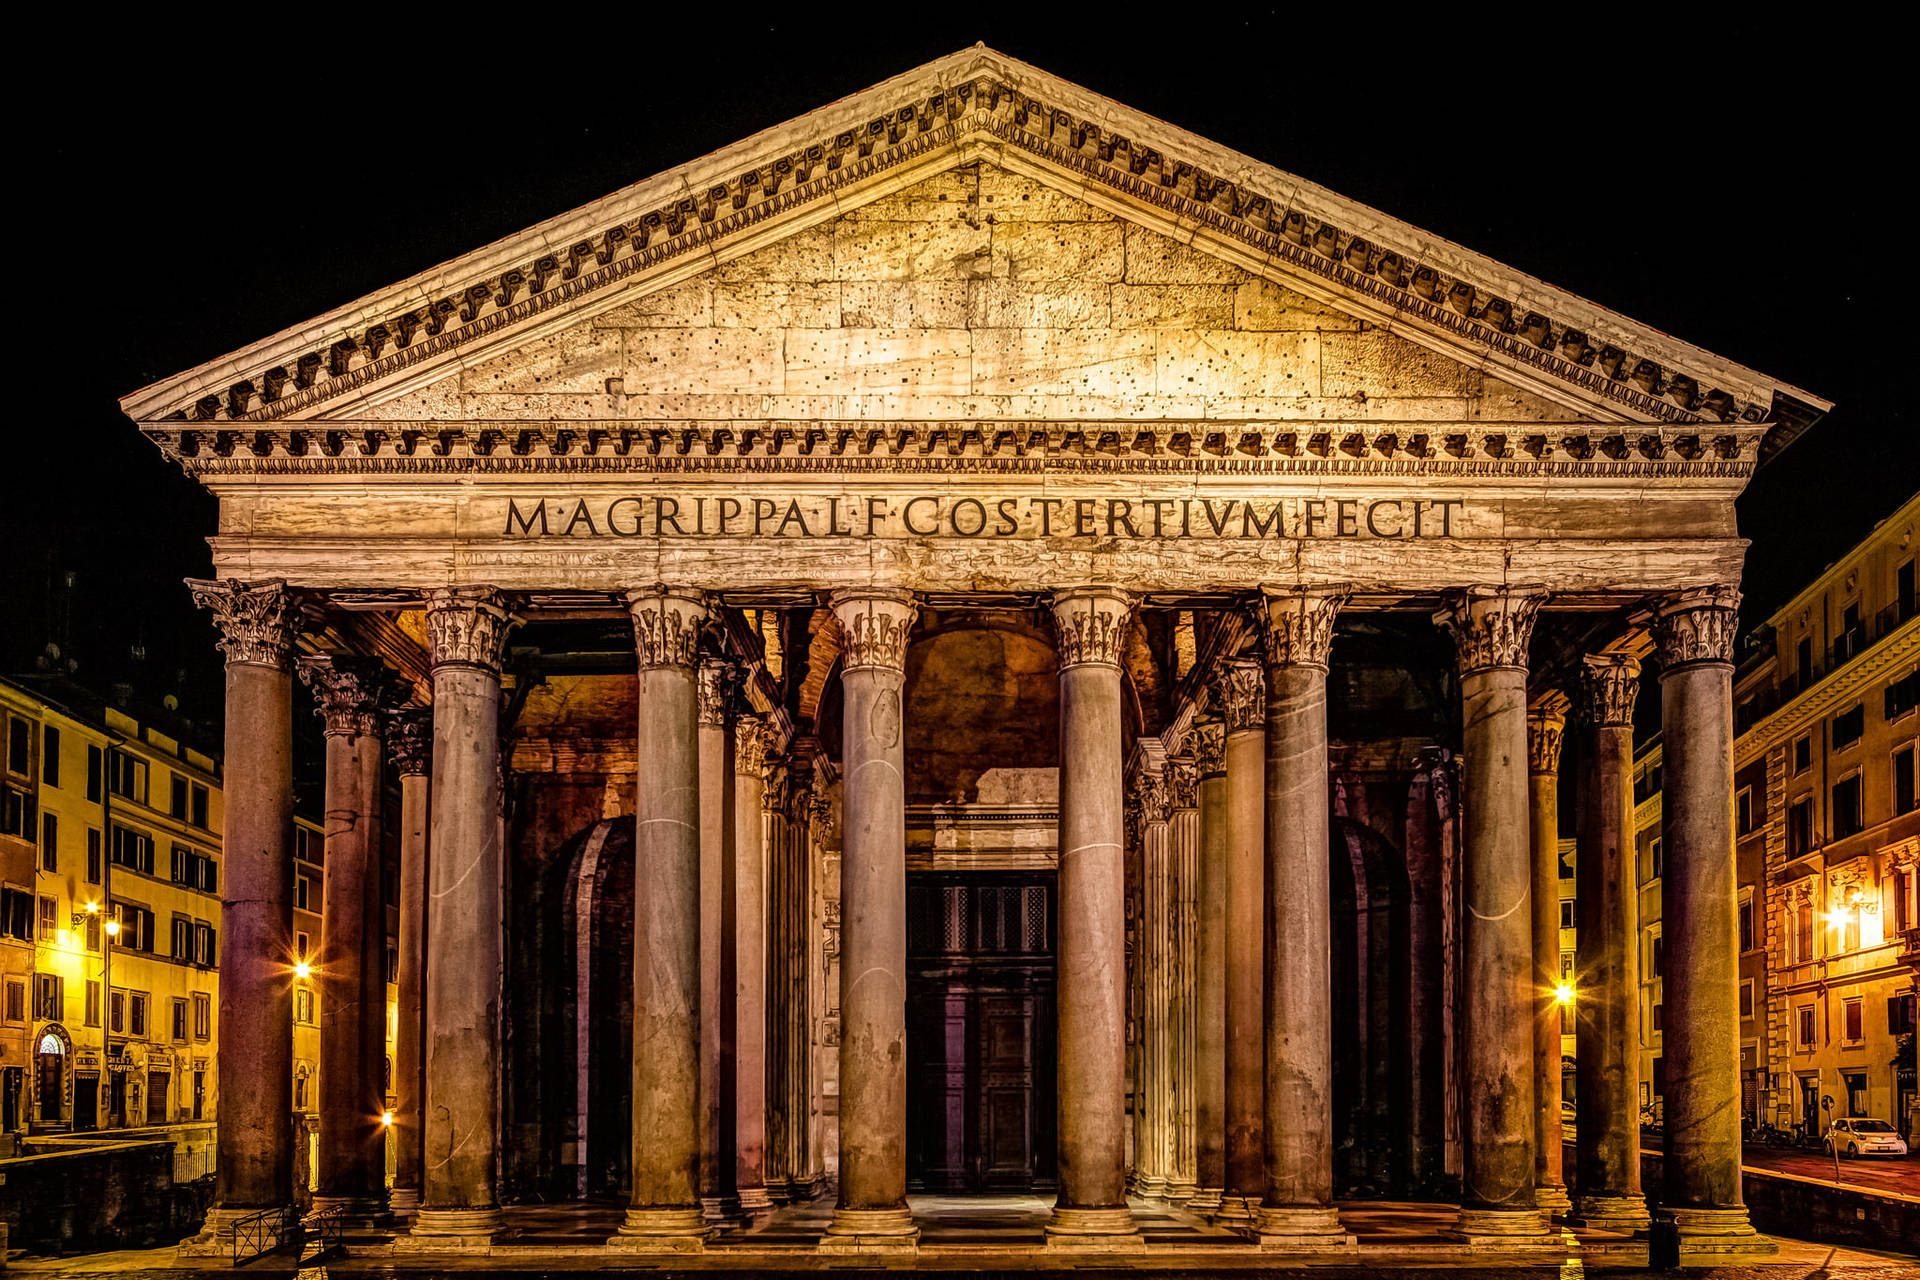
x,y
978,99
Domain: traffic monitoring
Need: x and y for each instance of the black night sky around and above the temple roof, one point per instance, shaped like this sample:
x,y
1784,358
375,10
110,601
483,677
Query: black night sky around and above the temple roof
x,y
220,185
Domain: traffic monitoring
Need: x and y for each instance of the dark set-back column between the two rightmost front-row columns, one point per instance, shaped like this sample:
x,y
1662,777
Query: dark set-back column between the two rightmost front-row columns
x,y
1608,957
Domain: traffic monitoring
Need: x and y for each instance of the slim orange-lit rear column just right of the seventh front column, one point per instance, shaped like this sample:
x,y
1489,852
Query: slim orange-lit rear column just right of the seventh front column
x,y
1545,728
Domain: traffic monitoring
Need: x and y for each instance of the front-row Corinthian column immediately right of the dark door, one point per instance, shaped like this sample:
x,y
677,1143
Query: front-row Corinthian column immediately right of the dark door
x,y
1092,627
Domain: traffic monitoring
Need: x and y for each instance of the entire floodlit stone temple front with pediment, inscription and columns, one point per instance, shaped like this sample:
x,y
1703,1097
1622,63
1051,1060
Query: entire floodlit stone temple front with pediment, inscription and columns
x,y
976,642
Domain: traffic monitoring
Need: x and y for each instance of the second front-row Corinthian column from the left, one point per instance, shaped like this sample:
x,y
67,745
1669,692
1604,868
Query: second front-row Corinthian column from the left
x,y
466,636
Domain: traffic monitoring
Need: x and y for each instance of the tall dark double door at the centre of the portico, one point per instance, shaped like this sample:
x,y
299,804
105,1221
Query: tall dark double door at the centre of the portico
x,y
980,1035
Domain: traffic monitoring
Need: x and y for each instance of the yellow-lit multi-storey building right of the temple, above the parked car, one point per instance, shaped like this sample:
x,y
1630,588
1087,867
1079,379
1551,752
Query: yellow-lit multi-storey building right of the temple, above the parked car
x,y
1827,826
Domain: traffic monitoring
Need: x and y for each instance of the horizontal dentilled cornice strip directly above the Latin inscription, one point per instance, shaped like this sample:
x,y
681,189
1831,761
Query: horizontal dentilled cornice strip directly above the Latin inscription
x,y
1262,448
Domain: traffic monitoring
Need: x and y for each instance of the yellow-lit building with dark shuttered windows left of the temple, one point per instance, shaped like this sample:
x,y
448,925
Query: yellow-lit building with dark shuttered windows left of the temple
x,y
110,924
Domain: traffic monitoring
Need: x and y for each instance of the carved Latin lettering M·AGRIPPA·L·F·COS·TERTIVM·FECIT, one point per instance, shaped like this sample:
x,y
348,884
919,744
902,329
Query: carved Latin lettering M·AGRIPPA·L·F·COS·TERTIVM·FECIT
x,y
658,515
